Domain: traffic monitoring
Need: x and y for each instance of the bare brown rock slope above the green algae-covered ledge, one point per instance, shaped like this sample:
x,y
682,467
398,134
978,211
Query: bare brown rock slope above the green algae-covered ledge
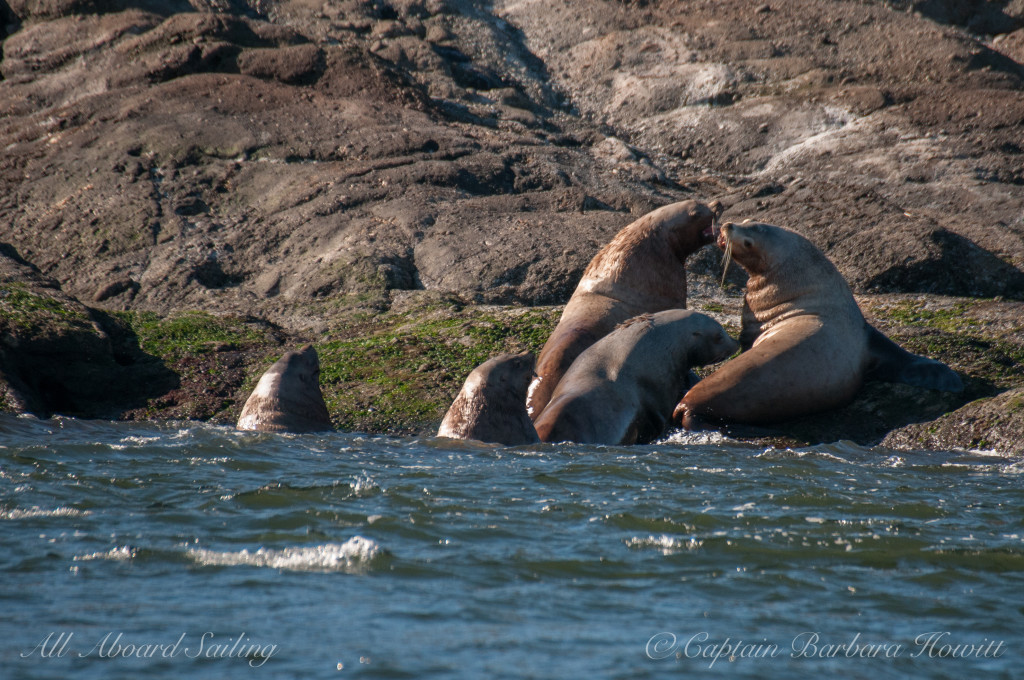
x,y
295,161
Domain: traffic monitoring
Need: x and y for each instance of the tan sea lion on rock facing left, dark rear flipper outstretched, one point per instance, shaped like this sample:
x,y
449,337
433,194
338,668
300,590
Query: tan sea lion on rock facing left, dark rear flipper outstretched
x,y
809,347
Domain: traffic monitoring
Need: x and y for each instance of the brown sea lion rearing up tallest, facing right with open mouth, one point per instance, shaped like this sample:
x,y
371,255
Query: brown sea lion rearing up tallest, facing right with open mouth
x,y
642,271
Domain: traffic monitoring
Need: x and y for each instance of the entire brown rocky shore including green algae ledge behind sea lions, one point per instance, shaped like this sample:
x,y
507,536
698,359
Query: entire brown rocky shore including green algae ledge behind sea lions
x,y
192,189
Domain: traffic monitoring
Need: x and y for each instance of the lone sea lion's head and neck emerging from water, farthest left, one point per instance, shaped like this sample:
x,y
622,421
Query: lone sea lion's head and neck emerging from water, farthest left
x,y
288,398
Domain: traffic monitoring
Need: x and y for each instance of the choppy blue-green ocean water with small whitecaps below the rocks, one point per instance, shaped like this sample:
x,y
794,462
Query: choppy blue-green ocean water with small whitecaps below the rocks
x,y
192,551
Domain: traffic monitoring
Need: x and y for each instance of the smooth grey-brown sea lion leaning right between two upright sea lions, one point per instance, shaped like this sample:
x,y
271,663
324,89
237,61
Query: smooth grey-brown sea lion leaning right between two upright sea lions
x,y
623,389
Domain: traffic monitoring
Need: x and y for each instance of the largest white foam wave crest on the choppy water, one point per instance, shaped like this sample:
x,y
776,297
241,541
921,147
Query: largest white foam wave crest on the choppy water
x,y
353,557
